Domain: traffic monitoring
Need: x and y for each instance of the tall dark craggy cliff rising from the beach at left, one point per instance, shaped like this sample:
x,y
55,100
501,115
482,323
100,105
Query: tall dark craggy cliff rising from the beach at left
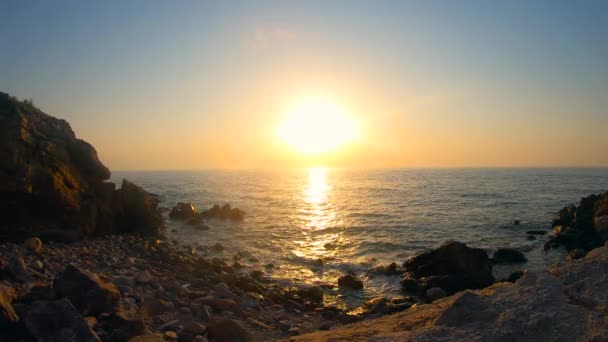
x,y
52,184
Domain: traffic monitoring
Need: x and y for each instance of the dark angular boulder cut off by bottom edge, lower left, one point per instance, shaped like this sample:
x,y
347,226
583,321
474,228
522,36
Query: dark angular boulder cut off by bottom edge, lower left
x,y
56,321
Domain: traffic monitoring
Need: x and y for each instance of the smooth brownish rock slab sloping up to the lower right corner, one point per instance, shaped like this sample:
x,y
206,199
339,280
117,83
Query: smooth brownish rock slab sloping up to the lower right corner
x,y
566,303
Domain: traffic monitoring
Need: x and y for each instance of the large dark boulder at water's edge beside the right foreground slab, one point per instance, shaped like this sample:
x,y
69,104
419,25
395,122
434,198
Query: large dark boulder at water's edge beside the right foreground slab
x,y
452,267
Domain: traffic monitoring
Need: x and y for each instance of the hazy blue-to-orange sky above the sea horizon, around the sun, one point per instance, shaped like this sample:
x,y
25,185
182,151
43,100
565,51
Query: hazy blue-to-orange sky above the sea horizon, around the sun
x,y
159,85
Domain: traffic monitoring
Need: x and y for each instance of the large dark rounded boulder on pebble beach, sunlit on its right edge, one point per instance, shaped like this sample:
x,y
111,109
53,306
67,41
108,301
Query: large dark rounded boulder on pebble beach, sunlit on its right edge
x,y
86,291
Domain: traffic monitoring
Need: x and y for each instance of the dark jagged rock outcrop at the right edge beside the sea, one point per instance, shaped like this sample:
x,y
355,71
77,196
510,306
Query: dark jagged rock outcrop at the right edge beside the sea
x,y
581,227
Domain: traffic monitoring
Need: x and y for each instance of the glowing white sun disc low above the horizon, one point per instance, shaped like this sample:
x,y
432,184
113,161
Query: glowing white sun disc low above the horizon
x,y
317,126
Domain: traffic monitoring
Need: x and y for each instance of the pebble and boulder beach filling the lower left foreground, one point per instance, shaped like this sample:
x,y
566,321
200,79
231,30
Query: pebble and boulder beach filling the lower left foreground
x,y
125,288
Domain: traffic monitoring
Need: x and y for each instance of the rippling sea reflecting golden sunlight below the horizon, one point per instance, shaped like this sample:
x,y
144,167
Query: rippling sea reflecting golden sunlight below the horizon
x,y
310,226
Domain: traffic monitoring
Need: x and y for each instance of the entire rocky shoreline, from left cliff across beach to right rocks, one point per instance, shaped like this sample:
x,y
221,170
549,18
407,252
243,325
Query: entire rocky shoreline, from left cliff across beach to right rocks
x,y
83,261
